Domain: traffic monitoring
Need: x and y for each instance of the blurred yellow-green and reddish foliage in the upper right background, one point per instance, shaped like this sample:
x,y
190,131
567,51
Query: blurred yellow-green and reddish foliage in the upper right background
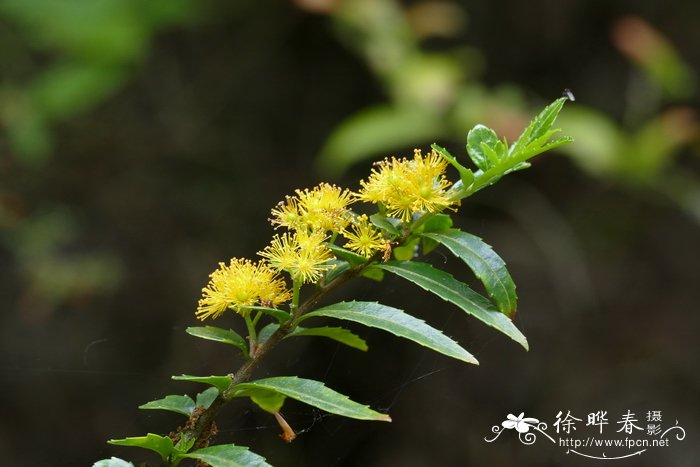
x,y
436,94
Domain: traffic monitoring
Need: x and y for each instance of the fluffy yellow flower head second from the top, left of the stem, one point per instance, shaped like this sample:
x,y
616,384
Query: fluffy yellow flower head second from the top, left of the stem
x,y
325,207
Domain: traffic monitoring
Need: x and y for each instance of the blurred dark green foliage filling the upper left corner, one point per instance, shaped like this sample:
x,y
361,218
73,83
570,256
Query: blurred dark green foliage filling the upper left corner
x,y
63,58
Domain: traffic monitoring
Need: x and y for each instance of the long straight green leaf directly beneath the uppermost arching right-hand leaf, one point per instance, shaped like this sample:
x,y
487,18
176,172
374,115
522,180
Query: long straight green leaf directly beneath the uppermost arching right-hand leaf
x,y
449,289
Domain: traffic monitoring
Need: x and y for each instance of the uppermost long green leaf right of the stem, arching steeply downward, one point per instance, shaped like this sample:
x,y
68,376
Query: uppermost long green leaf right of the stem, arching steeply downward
x,y
486,264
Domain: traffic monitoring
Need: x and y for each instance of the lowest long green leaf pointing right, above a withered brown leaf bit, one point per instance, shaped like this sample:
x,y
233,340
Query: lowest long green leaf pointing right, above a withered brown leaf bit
x,y
313,393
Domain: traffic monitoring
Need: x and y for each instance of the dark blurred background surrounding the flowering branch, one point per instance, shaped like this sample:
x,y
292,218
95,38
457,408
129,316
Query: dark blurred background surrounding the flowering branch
x,y
143,142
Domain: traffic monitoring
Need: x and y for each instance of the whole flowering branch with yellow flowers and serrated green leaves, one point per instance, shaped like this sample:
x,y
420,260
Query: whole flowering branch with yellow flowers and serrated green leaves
x,y
410,197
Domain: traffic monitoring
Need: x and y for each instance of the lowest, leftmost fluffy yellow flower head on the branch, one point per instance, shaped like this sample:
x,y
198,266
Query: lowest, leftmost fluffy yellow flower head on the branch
x,y
239,286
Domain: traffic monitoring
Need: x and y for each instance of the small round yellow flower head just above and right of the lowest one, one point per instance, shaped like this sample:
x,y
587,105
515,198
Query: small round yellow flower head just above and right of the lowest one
x,y
303,255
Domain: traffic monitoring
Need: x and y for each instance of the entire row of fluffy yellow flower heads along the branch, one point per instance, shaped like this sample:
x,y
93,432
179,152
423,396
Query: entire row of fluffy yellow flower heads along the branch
x,y
404,187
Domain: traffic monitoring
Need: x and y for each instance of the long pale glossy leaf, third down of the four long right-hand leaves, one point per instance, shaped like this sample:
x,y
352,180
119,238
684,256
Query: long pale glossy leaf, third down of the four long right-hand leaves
x,y
396,322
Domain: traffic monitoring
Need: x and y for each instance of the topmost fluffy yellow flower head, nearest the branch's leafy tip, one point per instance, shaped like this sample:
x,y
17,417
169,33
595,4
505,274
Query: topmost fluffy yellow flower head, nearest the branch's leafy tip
x,y
409,186
